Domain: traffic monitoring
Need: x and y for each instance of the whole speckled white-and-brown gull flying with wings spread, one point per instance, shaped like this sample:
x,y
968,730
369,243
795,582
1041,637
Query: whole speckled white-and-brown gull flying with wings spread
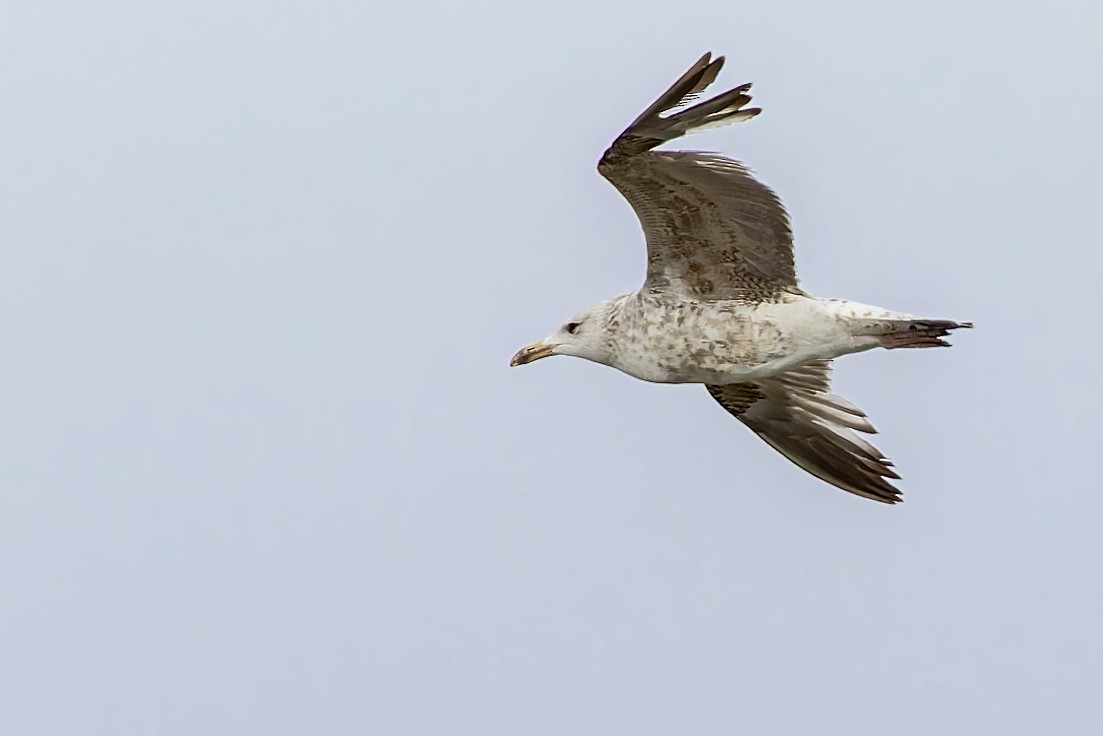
x,y
722,305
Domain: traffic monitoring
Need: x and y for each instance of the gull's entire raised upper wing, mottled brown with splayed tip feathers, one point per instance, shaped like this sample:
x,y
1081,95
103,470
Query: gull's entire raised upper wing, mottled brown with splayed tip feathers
x,y
714,232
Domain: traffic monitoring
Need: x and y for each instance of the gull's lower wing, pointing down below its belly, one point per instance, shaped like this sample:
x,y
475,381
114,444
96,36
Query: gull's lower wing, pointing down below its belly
x,y
798,418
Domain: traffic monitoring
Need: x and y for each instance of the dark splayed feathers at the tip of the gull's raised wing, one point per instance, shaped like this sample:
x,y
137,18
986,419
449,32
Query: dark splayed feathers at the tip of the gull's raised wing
x,y
654,127
